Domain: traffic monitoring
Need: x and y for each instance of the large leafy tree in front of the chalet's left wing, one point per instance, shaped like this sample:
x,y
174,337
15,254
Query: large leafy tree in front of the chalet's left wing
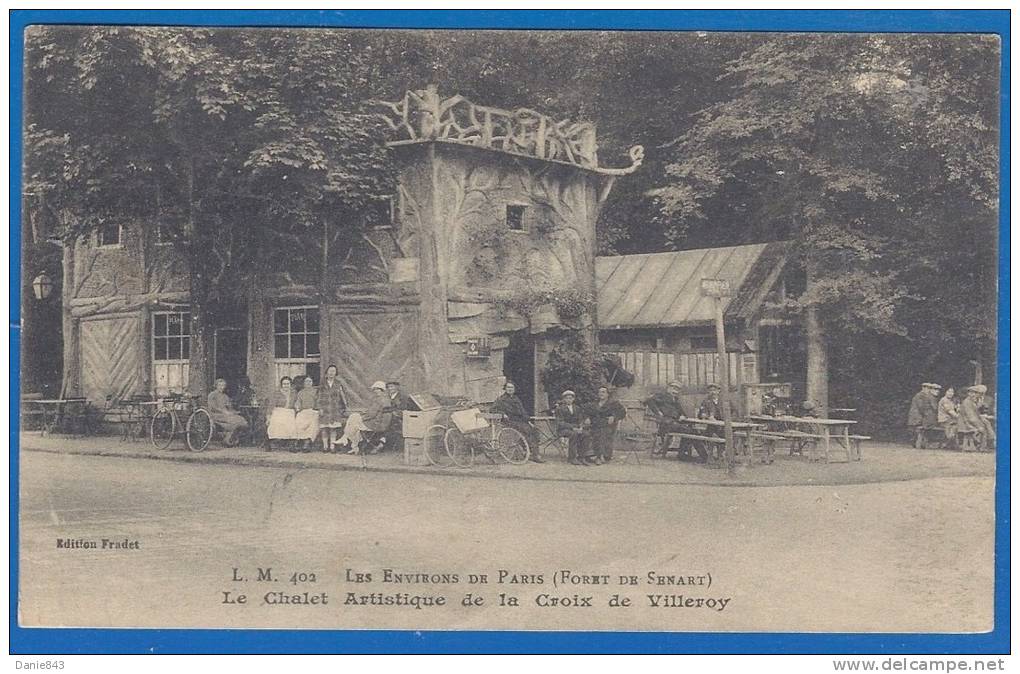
x,y
246,139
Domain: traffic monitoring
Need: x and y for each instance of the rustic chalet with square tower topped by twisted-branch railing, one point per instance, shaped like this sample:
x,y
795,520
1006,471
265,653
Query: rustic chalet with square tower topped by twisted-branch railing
x,y
494,220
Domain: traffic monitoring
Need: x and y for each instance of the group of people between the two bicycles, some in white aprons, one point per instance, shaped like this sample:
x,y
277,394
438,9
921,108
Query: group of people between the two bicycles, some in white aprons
x,y
298,417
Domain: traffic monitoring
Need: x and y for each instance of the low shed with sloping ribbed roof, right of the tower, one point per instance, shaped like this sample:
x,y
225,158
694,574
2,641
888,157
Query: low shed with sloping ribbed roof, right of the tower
x,y
653,316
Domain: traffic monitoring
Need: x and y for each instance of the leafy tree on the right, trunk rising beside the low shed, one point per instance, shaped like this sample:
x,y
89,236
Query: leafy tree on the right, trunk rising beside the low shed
x,y
878,157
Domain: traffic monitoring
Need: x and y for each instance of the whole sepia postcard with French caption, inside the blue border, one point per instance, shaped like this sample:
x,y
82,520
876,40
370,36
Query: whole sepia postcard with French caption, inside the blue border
x,y
604,331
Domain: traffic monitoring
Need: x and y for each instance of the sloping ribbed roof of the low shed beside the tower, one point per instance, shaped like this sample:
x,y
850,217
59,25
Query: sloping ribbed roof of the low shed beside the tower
x,y
664,290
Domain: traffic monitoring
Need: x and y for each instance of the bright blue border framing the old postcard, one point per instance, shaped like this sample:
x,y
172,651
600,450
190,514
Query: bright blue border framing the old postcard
x,y
39,641
